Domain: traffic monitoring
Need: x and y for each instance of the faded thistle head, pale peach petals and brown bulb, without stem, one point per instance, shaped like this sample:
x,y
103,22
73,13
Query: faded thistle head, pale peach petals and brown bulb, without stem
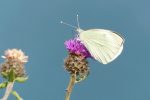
x,y
14,60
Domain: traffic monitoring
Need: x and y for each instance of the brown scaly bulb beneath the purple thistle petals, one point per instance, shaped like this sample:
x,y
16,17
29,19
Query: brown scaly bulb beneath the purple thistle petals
x,y
78,65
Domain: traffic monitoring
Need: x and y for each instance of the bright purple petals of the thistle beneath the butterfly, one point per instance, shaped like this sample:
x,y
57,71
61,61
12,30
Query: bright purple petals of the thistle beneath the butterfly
x,y
75,46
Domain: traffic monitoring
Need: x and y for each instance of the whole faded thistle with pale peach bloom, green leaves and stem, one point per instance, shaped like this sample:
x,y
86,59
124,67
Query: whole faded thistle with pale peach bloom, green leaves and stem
x,y
13,71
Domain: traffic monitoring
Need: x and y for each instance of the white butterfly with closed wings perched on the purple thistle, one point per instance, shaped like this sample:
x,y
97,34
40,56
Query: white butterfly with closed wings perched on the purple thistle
x,y
103,45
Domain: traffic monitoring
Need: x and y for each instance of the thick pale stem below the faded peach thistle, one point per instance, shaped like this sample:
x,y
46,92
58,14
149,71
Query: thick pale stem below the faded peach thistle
x,y
8,90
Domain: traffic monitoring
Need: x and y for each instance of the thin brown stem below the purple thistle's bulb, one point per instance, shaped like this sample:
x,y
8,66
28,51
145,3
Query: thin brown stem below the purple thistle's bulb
x,y
70,86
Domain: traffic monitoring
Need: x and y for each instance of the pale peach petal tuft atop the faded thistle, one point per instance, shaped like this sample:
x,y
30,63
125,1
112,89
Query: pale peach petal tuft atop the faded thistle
x,y
15,55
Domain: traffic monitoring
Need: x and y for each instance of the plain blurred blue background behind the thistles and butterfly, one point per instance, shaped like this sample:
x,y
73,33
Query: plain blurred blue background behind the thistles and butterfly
x,y
33,26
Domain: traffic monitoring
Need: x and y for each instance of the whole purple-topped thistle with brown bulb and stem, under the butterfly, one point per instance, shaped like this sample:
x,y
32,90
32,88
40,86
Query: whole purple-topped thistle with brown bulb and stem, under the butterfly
x,y
76,63
